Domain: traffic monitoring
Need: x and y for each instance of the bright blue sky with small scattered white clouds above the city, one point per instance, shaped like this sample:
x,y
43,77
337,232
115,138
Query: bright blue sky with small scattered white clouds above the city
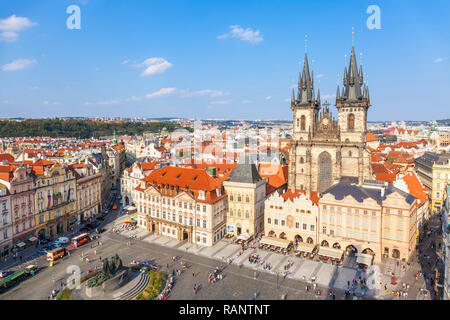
x,y
183,59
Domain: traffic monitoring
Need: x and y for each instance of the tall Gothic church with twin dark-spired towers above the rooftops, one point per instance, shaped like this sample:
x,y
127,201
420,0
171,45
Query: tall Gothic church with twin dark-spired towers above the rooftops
x,y
326,150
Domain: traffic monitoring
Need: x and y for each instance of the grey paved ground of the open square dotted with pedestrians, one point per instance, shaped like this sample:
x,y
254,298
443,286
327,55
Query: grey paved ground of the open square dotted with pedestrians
x,y
238,282
